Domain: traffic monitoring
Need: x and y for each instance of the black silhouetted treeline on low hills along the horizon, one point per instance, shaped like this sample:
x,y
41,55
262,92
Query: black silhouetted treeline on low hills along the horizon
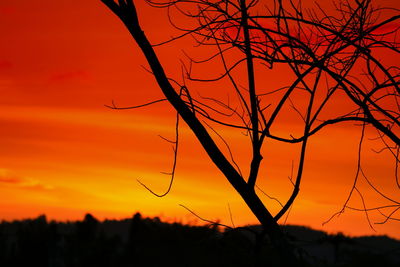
x,y
149,242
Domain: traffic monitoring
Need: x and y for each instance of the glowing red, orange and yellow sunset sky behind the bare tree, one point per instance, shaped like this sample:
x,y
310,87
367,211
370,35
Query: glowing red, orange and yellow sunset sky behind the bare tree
x,y
63,153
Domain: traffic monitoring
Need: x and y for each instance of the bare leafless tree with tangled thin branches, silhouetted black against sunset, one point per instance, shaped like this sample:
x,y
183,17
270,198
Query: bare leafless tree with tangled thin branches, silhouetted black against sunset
x,y
331,56
